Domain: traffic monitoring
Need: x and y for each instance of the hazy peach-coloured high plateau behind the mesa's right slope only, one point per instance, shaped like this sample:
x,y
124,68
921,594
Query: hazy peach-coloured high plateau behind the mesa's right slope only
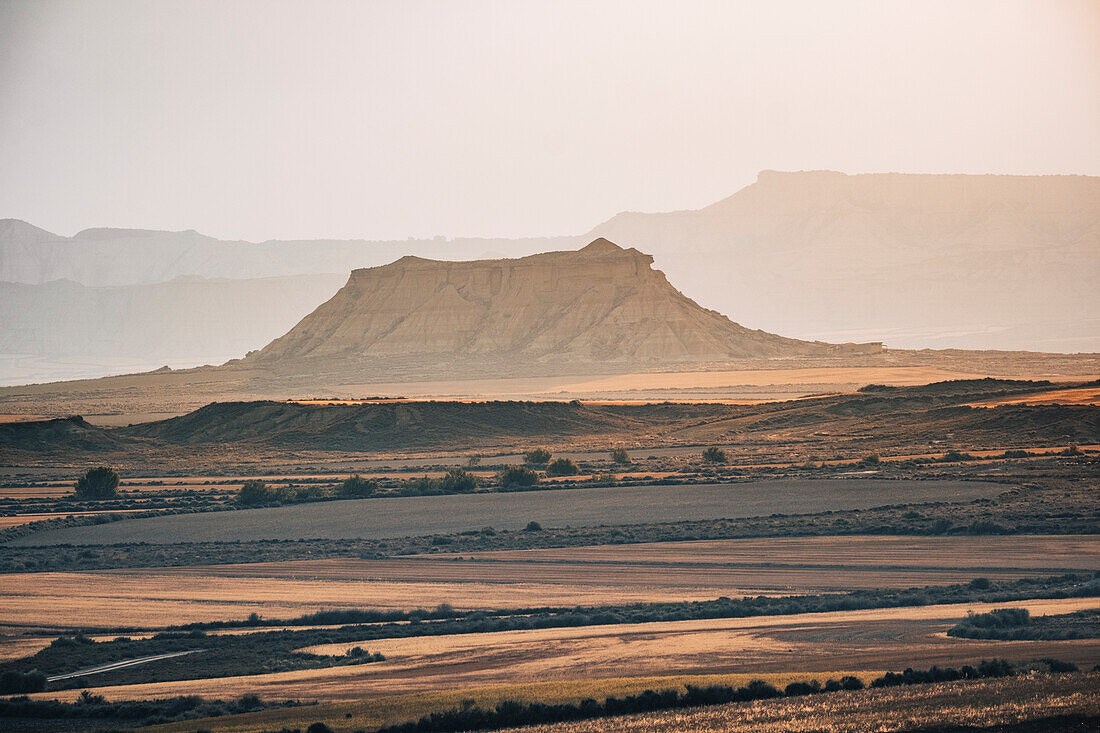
x,y
917,261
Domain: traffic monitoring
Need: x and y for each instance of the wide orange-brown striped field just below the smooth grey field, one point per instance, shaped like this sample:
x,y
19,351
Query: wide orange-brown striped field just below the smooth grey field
x,y
584,576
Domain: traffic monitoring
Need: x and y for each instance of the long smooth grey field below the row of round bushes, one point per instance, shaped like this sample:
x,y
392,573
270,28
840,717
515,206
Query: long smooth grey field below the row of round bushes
x,y
406,517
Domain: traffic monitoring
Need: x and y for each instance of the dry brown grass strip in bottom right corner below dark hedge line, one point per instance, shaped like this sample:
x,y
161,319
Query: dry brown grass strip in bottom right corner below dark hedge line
x,y
973,704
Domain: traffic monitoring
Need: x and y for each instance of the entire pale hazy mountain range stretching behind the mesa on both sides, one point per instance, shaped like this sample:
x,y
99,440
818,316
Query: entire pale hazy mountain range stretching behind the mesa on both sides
x,y
919,261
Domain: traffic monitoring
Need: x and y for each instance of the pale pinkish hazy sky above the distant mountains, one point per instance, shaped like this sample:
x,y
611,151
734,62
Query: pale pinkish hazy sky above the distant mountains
x,y
268,119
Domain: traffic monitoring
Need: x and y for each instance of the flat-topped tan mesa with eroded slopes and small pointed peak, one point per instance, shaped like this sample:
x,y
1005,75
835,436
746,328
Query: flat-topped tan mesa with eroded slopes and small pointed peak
x,y
602,303
